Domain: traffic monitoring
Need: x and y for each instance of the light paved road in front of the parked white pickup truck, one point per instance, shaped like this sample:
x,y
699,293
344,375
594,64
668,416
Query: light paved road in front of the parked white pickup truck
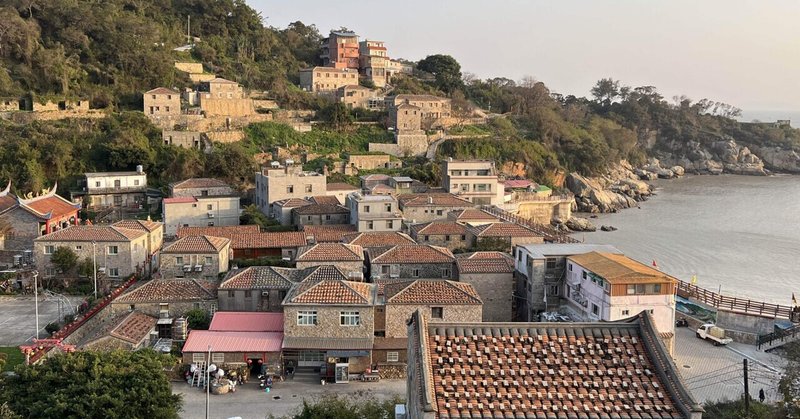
x,y
715,372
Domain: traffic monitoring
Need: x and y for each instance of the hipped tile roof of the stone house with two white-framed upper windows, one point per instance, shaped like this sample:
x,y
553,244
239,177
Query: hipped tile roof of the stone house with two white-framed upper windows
x,y
332,292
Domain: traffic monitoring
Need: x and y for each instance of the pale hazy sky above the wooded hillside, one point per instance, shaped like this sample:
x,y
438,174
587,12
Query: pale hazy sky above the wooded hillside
x,y
746,53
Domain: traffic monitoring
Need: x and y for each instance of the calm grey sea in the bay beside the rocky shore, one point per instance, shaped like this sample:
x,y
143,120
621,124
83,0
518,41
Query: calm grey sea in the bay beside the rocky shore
x,y
740,233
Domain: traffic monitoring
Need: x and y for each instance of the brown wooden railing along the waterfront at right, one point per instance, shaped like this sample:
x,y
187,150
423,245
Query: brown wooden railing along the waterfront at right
x,y
739,305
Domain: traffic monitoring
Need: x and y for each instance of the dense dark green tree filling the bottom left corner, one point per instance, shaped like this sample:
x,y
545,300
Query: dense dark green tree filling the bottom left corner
x,y
118,384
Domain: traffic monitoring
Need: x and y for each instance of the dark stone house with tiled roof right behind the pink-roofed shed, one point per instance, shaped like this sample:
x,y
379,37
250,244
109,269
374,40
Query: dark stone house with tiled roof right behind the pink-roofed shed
x,y
256,288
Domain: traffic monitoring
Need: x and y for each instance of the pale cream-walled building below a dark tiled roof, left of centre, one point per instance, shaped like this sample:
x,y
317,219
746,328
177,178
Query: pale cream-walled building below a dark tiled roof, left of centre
x,y
199,211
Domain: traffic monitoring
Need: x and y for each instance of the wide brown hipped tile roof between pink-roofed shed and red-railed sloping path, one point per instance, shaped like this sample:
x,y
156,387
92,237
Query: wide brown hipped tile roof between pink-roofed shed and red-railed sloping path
x,y
167,290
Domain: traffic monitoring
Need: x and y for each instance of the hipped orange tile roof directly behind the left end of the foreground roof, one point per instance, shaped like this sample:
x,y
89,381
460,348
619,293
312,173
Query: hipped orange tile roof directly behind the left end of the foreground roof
x,y
431,292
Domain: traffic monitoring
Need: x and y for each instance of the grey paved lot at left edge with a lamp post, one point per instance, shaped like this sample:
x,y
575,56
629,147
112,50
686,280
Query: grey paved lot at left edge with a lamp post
x,y
18,322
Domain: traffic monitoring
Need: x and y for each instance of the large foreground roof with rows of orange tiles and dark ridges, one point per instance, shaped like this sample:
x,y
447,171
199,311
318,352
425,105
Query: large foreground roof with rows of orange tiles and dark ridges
x,y
603,370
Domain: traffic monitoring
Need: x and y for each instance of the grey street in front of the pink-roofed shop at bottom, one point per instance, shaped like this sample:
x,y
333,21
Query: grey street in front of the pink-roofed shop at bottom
x,y
248,402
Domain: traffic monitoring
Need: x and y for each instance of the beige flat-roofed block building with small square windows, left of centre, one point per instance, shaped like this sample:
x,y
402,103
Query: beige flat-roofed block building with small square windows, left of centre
x,y
277,183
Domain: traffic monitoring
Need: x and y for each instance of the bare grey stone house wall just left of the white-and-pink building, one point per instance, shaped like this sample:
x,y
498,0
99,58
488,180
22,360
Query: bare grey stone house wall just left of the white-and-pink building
x,y
496,291
